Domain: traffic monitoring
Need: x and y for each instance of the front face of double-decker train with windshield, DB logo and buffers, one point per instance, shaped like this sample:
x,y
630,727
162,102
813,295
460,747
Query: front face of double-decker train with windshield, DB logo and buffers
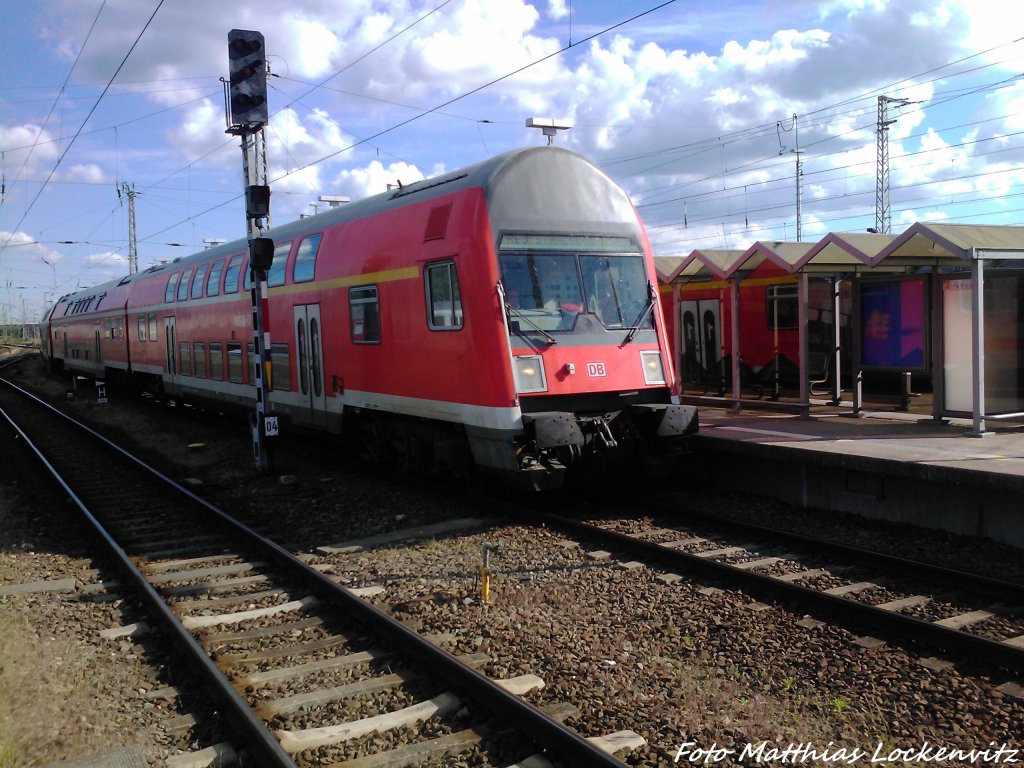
x,y
589,366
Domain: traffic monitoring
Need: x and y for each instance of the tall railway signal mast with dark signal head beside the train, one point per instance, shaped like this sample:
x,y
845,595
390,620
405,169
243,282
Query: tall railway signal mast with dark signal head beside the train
x,y
247,115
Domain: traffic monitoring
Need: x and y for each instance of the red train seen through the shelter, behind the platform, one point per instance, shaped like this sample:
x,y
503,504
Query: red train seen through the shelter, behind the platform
x,y
701,330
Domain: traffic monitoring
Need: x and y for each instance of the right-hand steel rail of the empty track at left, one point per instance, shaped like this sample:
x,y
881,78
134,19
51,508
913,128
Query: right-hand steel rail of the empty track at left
x,y
568,745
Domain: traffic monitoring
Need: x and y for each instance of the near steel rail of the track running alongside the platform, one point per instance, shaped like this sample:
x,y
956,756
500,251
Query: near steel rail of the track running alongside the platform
x,y
987,651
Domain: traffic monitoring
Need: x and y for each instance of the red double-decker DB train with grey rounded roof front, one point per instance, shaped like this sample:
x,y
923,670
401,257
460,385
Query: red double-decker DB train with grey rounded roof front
x,y
502,316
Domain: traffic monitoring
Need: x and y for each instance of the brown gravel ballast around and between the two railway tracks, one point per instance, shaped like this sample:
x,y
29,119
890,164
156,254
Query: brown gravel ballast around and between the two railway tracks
x,y
679,664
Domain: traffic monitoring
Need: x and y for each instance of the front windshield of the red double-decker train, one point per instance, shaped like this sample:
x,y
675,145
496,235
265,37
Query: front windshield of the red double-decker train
x,y
550,290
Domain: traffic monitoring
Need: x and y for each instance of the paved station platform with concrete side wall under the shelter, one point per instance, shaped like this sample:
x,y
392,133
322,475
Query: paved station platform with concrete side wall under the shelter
x,y
904,467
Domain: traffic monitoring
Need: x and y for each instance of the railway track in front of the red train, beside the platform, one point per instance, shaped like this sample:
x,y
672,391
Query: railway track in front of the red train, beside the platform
x,y
972,616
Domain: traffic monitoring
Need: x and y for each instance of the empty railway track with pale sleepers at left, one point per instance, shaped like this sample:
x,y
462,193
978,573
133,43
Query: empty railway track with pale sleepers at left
x,y
275,641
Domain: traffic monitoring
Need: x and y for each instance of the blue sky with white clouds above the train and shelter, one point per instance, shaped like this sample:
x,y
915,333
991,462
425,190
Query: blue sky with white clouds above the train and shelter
x,y
690,106
